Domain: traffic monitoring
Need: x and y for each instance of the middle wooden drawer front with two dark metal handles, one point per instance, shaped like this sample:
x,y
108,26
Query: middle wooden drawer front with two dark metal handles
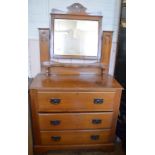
x,y
75,121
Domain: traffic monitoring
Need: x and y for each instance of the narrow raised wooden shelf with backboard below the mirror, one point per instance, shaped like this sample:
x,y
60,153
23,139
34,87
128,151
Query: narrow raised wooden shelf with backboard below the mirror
x,y
55,68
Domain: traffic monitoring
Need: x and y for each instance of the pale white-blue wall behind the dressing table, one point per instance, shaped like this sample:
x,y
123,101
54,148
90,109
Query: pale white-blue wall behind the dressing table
x,y
39,15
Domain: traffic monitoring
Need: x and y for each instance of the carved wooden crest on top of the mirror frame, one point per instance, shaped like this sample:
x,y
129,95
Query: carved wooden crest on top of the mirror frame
x,y
77,8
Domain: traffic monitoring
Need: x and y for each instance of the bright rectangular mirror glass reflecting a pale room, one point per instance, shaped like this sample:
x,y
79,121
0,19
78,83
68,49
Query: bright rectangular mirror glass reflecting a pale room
x,y
75,37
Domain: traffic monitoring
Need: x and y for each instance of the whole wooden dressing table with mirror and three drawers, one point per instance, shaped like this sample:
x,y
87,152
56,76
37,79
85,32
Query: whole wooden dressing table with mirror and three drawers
x,y
74,102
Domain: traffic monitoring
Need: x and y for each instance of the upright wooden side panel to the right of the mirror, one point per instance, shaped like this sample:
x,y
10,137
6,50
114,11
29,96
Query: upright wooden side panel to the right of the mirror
x,y
106,48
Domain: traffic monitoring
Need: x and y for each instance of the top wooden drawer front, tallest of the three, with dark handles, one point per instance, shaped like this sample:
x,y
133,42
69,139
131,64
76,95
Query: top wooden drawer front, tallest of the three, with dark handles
x,y
72,101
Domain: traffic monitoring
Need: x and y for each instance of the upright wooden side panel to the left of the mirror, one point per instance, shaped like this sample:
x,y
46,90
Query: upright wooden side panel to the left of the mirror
x,y
44,44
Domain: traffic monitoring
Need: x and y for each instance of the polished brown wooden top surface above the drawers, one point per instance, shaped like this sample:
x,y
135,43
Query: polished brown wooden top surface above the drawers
x,y
75,83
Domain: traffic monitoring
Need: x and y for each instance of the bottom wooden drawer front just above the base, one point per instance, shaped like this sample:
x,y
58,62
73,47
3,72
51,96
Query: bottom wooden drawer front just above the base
x,y
75,137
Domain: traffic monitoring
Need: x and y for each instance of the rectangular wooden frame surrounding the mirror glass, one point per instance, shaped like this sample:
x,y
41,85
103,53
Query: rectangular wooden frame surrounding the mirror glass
x,y
76,16
